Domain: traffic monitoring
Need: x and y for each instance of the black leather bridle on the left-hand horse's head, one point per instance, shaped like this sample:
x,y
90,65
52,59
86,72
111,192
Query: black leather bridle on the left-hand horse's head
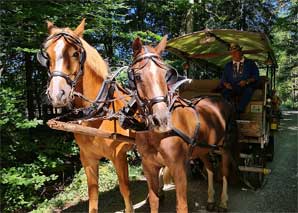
x,y
44,59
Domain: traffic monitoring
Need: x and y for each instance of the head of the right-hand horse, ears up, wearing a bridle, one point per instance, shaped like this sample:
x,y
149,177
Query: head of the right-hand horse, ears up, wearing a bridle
x,y
148,76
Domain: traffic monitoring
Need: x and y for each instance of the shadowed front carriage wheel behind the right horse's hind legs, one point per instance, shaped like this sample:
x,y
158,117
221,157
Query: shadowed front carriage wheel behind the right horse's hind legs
x,y
255,179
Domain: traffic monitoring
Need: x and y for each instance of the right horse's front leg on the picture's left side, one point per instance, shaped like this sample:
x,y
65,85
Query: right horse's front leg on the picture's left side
x,y
151,172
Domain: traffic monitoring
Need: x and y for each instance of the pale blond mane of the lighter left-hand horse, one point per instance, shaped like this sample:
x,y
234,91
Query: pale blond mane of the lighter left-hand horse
x,y
93,59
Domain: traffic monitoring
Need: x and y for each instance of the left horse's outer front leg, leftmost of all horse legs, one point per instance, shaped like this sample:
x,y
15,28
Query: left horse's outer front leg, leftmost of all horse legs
x,y
91,169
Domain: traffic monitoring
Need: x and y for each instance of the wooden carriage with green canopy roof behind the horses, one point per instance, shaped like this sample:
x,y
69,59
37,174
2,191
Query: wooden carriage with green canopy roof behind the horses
x,y
205,54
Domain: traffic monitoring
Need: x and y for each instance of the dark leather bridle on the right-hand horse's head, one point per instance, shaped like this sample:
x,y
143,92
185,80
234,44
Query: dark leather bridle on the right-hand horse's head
x,y
146,104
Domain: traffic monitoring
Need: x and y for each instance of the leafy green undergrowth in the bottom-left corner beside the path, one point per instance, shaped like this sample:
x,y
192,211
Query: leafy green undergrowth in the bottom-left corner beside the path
x,y
25,185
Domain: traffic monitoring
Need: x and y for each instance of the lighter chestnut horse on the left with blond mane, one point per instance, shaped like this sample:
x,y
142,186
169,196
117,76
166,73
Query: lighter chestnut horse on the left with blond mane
x,y
73,65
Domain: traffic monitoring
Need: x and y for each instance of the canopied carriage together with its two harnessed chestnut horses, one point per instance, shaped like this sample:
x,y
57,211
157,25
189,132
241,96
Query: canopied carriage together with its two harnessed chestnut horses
x,y
172,127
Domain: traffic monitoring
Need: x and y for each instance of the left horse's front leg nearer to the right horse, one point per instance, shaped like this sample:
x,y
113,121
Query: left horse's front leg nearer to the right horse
x,y
121,166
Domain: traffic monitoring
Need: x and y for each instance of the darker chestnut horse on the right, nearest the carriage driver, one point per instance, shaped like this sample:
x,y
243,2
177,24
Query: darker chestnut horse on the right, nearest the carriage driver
x,y
179,130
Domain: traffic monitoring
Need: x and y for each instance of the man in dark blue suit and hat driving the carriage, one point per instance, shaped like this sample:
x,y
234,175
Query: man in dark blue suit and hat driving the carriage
x,y
239,78
